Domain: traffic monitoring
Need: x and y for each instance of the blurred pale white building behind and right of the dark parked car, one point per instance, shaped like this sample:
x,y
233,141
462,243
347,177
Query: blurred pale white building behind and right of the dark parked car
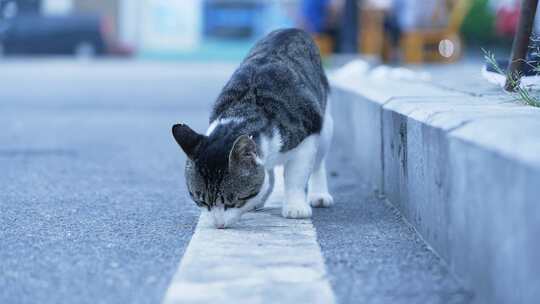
x,y
145,25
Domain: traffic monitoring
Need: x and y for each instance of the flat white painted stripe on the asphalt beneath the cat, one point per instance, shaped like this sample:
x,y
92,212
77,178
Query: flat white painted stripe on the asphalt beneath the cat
x,y
265,259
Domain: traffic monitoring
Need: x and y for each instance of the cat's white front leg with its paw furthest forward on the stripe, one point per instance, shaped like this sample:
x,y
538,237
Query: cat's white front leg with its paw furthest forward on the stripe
x,y
296,176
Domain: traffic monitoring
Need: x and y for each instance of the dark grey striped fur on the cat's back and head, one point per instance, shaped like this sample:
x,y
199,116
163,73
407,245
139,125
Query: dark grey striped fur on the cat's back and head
x,y
281,86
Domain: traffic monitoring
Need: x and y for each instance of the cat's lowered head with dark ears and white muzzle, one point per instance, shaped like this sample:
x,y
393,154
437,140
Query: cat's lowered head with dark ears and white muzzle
x,y
223,176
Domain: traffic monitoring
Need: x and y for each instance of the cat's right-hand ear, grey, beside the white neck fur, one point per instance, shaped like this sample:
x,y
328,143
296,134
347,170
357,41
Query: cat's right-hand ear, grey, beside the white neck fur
x,y
243,155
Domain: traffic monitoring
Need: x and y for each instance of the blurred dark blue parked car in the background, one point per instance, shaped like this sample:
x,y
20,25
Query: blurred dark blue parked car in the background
x,y
80,35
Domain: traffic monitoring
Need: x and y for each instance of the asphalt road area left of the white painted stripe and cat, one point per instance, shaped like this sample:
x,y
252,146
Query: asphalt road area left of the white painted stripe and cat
x,y
92,202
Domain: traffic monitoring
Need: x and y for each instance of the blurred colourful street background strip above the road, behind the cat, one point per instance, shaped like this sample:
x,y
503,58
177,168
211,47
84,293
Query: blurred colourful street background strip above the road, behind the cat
x,y
409,31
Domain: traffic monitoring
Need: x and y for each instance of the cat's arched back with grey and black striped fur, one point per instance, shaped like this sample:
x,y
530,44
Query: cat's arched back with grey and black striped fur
x,y
283,78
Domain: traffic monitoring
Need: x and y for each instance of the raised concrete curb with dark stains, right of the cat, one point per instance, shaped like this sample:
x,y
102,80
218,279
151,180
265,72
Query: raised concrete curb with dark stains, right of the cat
x,y
463,169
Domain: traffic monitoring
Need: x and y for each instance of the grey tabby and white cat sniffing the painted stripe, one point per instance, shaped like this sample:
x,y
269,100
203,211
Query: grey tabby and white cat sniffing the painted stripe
x,y
273,111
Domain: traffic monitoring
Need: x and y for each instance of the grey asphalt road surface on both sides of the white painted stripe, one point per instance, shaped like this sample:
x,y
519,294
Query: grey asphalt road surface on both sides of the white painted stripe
x,y
92,201
